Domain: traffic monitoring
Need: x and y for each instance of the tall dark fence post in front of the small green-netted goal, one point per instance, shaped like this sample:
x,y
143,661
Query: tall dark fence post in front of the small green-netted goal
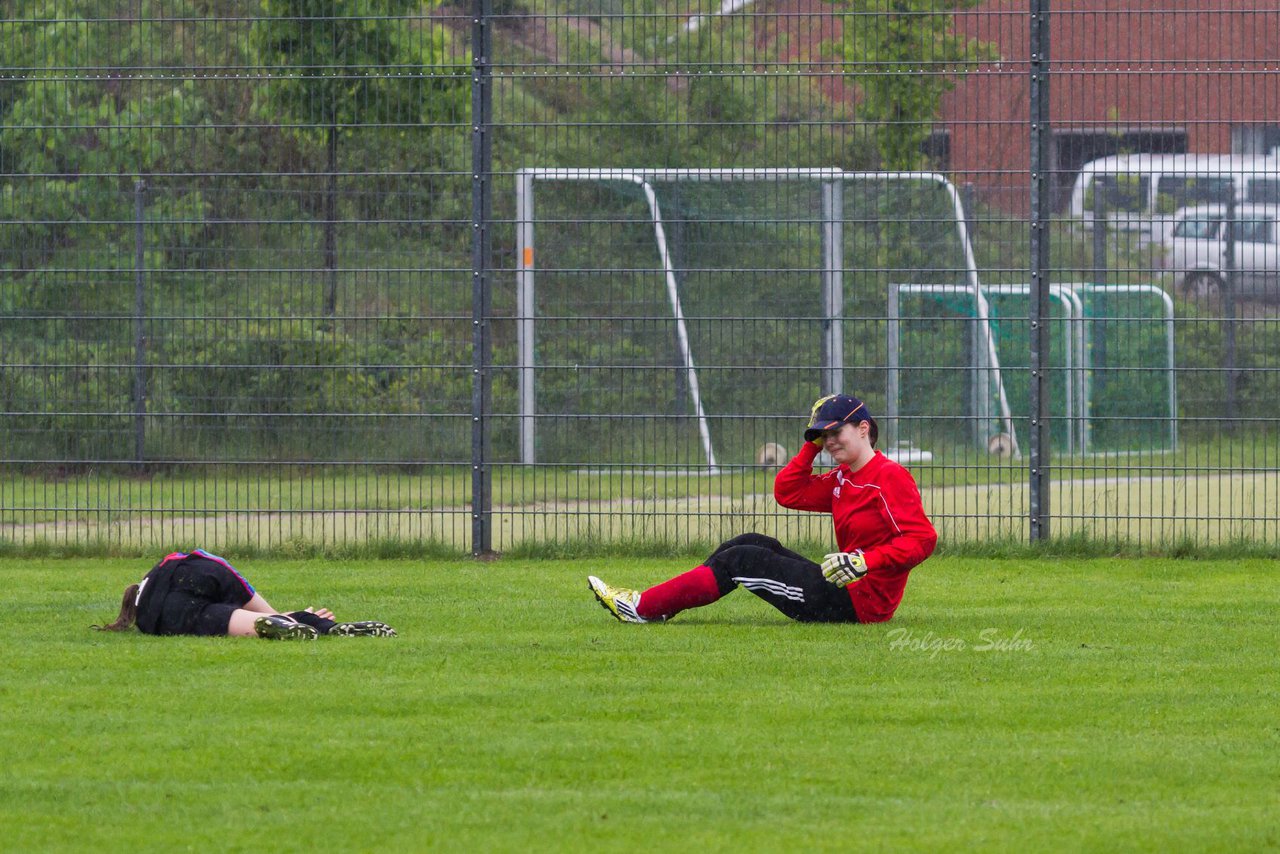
x,y
1040,262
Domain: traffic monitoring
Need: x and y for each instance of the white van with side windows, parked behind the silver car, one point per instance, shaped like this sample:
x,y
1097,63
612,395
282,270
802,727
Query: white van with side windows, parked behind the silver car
x,y
1142,191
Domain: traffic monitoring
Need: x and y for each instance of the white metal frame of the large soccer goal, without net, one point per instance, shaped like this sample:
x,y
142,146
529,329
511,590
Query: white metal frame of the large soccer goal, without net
x,y
833,286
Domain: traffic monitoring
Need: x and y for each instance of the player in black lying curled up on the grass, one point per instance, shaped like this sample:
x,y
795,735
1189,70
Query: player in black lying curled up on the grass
x,y
199,593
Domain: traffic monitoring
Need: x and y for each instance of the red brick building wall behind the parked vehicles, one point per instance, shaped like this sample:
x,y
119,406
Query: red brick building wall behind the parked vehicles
x,y
1177,76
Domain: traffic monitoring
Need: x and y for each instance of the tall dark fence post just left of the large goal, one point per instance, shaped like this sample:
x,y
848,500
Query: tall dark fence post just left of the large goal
x,y
482,243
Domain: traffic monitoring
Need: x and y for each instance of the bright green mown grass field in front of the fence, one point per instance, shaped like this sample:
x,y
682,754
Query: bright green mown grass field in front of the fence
x,y
1077,705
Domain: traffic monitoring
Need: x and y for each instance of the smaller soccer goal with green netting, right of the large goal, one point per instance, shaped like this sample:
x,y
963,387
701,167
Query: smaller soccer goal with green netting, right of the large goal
x,y
1110,366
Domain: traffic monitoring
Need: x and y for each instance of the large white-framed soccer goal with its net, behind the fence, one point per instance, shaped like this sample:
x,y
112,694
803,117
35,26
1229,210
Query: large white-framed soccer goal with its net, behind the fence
x,y
682,300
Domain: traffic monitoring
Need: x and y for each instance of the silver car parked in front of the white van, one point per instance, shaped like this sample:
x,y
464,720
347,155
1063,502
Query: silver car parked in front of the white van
x,y
1197,252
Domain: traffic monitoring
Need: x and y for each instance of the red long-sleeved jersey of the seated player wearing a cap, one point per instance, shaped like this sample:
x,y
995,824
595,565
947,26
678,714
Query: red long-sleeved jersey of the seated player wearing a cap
x,y
877,510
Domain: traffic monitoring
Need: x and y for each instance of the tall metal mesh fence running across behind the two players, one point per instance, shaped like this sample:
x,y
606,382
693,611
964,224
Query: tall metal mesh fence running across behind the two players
x,y
520,273
